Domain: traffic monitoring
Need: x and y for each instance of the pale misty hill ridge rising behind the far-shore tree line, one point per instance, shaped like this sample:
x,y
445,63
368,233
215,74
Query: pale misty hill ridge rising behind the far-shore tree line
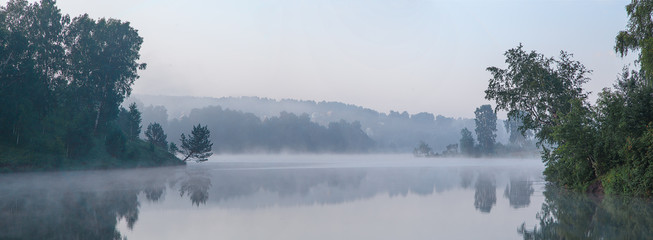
x,y
392,132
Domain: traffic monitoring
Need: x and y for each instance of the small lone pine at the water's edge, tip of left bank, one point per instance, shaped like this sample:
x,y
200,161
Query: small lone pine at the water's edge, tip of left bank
x,y
197,145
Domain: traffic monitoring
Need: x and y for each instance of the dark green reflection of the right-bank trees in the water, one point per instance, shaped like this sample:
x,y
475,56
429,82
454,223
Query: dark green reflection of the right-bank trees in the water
x,y
570,215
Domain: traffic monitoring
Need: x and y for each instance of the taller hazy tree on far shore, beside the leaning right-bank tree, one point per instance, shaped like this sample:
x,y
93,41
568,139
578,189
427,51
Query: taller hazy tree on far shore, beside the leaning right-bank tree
x,y
486,127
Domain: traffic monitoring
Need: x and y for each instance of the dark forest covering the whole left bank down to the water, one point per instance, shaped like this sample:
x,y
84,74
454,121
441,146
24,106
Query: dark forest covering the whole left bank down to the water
x,y
62,80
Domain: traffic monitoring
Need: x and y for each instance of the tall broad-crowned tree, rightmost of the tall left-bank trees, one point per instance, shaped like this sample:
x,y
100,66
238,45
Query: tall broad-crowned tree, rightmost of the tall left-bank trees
x,y
103,65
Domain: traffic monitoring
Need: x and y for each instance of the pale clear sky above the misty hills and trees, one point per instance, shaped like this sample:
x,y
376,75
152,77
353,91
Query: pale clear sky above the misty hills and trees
x,y
386,55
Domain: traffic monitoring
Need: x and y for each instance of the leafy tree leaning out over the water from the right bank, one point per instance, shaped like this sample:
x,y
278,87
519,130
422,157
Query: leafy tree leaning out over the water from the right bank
x,y
537,89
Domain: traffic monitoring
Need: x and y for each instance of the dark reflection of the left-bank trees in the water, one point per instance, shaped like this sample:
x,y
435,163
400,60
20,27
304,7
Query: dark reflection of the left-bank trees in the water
x,y
75,205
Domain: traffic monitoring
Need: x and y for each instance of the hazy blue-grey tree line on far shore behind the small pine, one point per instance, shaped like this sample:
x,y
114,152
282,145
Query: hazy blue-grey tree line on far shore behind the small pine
x,y
239,132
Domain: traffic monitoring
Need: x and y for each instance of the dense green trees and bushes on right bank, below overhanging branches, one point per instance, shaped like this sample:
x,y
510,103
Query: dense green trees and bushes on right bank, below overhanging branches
x,y
606,143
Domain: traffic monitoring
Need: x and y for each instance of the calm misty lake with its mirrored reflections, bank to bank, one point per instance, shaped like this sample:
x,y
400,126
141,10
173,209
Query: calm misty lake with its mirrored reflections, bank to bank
x,y
314,197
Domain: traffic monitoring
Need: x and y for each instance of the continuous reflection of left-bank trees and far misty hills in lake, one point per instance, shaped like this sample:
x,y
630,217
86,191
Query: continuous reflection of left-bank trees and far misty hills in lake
x,y
89,205
